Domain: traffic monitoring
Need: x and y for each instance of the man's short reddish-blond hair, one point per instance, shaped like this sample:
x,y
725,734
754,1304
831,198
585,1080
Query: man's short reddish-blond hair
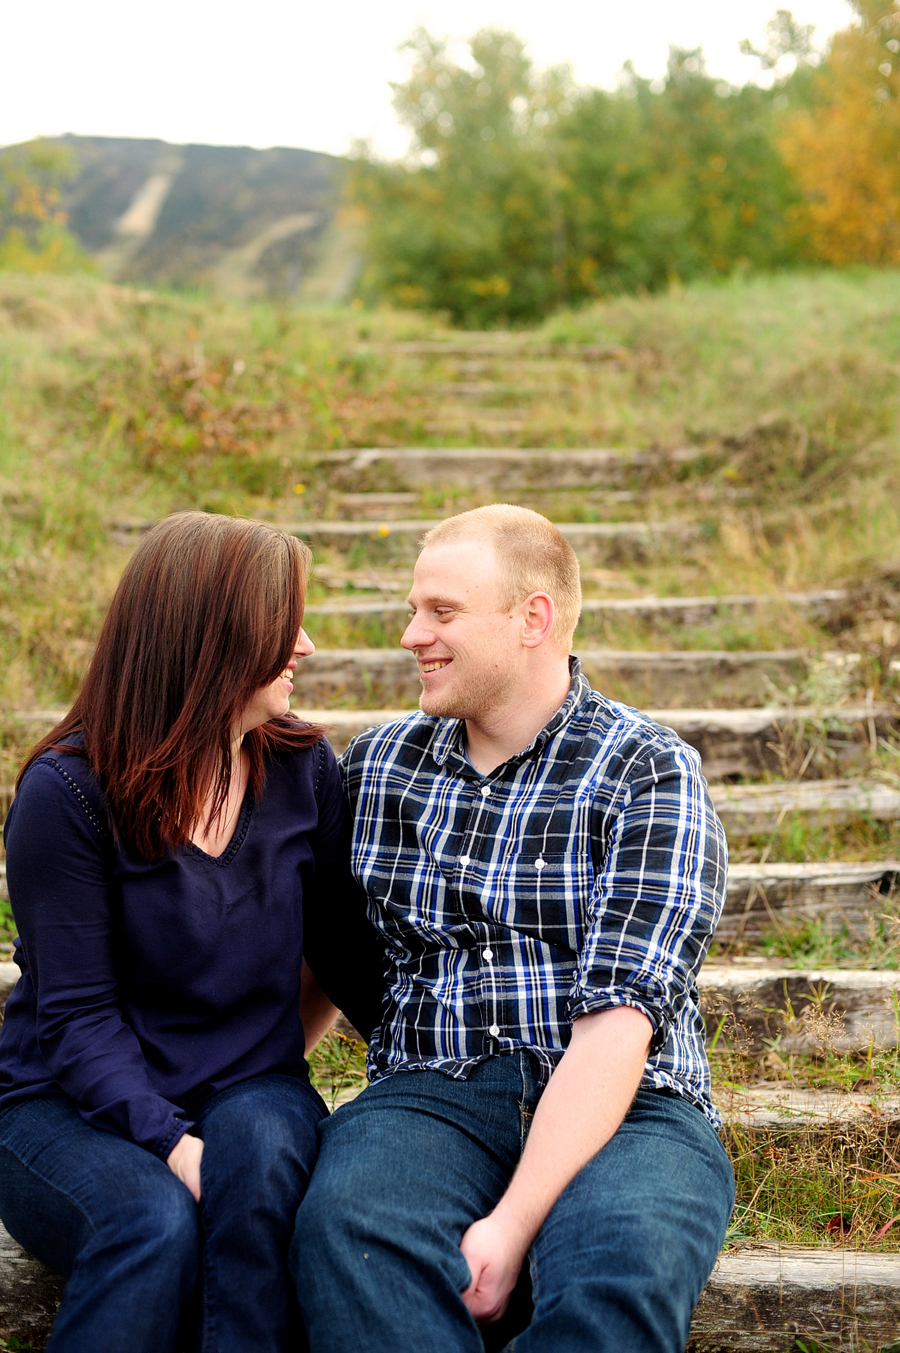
x,y
533,557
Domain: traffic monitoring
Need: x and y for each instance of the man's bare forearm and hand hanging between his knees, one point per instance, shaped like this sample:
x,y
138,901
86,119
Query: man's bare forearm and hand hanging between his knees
x,y
581,1110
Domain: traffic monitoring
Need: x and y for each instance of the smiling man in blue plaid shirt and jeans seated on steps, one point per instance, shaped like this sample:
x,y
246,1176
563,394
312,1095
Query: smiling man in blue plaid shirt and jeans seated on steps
x,y
547,871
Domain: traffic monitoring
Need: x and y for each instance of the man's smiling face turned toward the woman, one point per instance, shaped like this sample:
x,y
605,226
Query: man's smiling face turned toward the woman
x,y
468,649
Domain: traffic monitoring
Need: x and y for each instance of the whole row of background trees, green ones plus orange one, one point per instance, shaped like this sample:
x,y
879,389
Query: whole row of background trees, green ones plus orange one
x,y
523,193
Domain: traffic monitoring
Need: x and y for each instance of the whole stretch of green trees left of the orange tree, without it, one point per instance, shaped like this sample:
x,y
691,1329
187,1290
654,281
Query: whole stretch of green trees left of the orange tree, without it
x,y
523,191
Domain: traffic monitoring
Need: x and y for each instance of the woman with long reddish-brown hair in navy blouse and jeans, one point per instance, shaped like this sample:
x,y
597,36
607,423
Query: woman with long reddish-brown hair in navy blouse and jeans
x,y
174,849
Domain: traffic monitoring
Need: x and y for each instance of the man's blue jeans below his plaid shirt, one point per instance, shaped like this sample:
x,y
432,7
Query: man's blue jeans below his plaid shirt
x,y
403,1171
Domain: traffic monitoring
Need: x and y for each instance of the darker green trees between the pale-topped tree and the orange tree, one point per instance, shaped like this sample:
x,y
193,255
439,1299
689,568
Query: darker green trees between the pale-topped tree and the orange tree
x,y
673,185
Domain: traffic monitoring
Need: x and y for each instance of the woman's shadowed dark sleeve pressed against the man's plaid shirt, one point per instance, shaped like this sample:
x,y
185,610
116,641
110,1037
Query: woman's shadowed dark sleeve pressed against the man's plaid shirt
x,y
342,946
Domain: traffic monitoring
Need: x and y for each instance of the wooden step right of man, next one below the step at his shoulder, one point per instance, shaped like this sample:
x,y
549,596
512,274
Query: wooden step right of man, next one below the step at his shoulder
x,y
753,810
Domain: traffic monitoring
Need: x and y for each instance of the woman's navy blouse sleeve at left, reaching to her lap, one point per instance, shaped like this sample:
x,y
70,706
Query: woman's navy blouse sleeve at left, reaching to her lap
x,y
60,877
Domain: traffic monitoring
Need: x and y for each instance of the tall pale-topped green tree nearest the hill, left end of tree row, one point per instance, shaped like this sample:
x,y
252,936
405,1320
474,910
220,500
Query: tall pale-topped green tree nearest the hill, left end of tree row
x,y
472,223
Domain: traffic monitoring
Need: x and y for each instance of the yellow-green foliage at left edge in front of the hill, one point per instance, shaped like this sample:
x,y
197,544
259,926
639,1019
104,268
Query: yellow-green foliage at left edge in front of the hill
x,y
33,227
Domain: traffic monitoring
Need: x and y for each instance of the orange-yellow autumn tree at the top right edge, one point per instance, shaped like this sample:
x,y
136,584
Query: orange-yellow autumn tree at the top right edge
x,y
844,147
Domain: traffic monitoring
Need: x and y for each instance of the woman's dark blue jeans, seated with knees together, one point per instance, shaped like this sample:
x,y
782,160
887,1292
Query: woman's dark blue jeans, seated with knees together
x,y
150,1271
